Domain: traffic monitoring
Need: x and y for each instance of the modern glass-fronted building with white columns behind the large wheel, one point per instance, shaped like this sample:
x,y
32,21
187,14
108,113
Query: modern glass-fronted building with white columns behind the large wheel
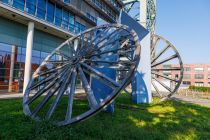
x,y
31,29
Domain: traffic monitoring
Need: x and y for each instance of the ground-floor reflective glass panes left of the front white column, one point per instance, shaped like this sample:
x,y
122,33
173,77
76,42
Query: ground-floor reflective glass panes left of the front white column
x,y
5,63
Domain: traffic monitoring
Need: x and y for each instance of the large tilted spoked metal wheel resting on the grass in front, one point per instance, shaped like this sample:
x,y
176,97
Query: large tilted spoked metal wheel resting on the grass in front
x,y
52,93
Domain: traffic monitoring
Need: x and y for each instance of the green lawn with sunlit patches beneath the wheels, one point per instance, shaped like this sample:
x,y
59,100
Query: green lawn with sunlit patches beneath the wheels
x,y
165,120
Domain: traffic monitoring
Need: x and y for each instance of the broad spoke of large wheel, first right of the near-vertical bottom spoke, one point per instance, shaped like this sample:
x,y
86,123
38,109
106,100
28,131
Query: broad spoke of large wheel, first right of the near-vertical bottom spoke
x,y
92,100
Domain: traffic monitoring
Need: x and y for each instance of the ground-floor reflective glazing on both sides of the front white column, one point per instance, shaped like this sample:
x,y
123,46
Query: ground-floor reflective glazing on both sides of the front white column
x,y
19,65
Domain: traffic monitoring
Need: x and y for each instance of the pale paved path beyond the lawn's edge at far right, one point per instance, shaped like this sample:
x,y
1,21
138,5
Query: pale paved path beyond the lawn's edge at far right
x,y
190,99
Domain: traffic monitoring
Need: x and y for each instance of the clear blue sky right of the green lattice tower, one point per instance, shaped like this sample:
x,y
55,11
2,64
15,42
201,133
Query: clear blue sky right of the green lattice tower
x,y
186,24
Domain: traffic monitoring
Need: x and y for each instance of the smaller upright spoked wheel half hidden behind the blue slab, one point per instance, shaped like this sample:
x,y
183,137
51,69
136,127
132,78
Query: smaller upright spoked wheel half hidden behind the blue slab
x,y
167,67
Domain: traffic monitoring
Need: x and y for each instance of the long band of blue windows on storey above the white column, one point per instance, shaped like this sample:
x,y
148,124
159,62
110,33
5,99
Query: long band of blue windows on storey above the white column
x,y
49,12
